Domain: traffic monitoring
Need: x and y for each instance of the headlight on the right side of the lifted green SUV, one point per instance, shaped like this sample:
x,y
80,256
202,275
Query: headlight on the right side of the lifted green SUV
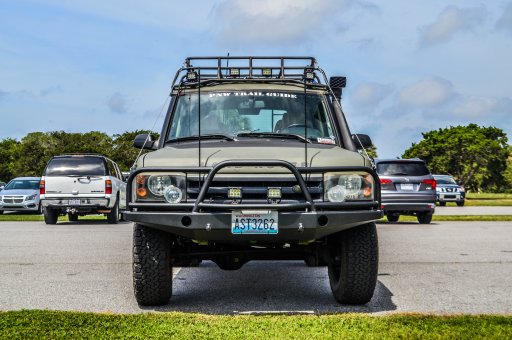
x,y
340,187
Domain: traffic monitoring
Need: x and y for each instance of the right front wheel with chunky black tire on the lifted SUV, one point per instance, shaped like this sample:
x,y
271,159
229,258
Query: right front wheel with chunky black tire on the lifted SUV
x,y
354,263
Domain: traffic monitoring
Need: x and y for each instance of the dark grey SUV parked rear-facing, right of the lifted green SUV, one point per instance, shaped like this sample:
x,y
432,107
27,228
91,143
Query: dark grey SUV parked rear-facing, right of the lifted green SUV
x,y
407,188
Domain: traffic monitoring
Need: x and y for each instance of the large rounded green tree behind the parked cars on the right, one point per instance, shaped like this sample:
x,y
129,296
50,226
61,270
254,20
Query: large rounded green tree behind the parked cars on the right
x,y
473,154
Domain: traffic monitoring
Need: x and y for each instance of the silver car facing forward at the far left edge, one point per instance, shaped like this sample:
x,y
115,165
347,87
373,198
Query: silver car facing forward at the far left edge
x,y
21,194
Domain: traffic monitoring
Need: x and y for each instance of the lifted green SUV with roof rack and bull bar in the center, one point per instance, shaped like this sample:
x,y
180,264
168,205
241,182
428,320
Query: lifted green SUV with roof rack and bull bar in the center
x,y
255,161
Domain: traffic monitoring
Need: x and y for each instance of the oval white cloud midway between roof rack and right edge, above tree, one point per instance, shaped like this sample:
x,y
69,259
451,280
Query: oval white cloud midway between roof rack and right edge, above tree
x,y
428,92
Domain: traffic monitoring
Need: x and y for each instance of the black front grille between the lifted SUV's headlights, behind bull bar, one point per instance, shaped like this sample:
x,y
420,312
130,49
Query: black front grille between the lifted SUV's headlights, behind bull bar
x,y
254,189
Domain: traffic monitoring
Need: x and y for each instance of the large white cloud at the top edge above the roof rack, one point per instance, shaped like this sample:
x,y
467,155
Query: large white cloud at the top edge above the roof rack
x,y
280,22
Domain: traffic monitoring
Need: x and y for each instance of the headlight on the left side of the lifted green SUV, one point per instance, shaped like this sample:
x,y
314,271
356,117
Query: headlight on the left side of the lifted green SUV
x,y
159,187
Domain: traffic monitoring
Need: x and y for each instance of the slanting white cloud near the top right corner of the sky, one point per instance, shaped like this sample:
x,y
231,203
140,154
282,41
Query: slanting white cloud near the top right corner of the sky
x,y
451,21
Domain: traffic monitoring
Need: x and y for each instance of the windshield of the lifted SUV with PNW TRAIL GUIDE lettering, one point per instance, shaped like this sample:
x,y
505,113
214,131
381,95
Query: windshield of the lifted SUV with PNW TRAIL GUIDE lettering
x,y
256,112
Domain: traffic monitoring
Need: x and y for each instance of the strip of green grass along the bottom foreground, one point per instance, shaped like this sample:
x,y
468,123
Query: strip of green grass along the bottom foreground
x,y
38,324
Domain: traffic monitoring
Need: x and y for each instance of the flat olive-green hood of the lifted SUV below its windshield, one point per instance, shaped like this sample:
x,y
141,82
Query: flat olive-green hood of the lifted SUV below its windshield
x,y
215,152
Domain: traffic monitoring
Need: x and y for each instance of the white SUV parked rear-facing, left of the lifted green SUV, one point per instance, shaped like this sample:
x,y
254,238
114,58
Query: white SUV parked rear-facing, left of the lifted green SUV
x,y
82,184
